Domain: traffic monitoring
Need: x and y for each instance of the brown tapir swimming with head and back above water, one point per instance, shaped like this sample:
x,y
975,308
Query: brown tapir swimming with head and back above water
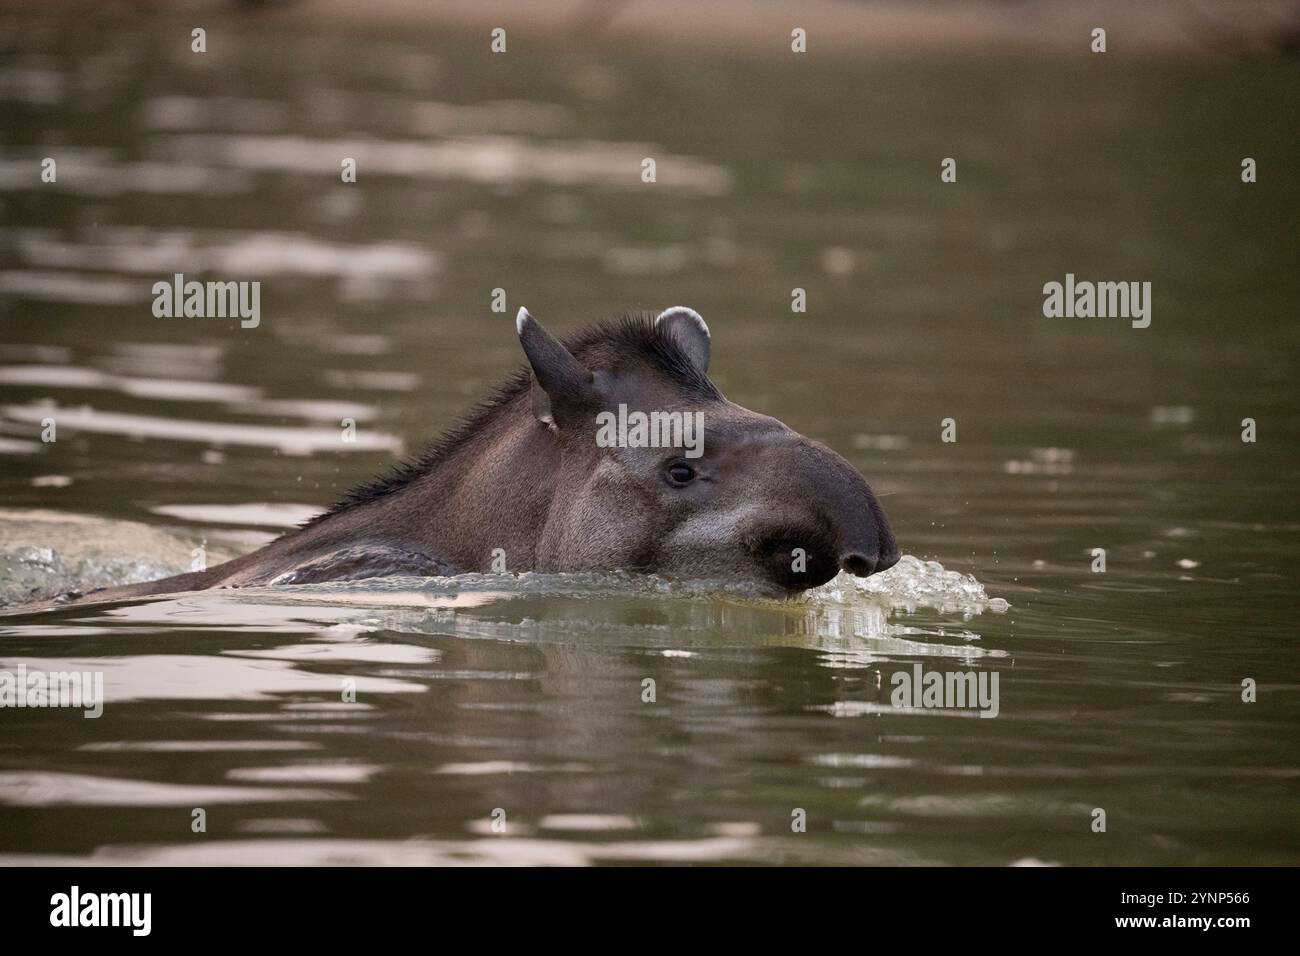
x,y
527,485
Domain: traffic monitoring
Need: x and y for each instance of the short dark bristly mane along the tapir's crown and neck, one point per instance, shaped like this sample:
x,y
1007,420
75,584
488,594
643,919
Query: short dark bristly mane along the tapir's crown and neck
x,y
630,339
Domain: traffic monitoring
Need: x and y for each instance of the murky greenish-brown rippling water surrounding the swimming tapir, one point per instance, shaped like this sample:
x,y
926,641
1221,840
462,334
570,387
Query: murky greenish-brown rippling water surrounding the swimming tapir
x,y
400,721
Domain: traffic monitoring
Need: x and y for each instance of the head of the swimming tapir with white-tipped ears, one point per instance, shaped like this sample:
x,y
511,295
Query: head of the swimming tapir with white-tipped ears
x,y
658,473
